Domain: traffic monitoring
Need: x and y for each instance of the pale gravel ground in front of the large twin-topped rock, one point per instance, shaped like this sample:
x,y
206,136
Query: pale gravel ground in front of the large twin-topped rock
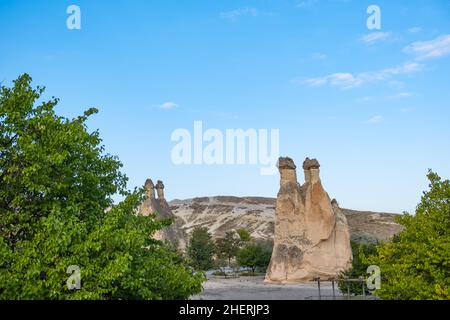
x,y
254,288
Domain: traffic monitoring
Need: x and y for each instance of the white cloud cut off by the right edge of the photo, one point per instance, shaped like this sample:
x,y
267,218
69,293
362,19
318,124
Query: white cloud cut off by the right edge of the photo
x,y
426,50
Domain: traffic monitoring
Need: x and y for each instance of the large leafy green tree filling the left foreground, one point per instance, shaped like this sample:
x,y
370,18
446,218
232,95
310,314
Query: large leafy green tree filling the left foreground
x,y
56,211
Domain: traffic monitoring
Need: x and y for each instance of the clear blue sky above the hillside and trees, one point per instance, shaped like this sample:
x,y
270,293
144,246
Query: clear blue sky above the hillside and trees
x,y
371,105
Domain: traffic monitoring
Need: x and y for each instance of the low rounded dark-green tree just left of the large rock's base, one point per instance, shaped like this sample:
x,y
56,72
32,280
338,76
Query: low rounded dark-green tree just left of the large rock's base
x,y
254,256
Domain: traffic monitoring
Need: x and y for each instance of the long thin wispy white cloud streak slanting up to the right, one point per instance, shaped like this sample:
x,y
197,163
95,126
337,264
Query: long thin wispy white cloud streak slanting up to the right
x,y
349,80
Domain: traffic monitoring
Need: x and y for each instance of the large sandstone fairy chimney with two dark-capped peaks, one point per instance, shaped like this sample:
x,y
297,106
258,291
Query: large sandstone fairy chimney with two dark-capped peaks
x,y
312,237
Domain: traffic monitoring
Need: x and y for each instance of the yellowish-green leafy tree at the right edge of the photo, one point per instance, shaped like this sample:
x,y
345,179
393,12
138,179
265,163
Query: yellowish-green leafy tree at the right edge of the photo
x,y
416,265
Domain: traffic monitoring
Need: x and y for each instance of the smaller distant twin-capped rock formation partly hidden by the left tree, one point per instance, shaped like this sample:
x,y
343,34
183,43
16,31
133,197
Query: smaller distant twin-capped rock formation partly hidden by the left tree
x,y
161,208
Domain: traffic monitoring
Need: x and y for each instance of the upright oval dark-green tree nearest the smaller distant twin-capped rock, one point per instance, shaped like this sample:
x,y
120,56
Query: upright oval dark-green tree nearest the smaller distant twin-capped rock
x,y
201,249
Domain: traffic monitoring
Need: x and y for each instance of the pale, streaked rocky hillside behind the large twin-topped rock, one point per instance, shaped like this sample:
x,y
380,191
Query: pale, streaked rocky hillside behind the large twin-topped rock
x,y
221,214
